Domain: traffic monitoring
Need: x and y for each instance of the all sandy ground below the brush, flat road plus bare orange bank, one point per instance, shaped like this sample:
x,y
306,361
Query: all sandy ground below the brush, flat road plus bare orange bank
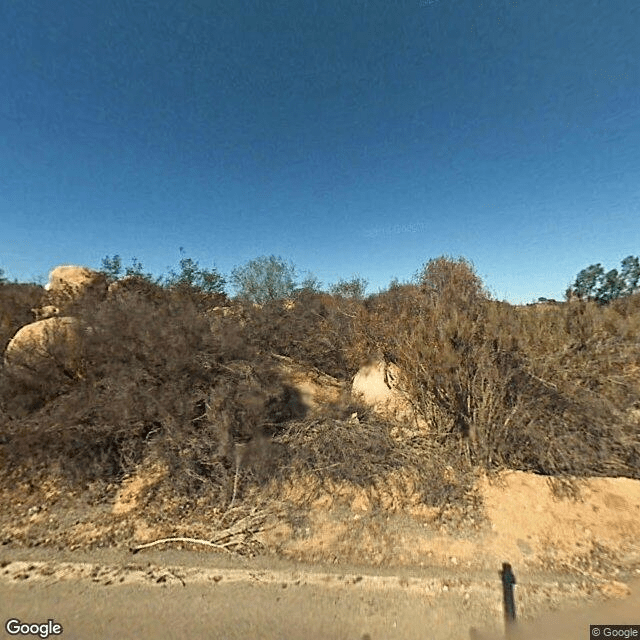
x,y
364,576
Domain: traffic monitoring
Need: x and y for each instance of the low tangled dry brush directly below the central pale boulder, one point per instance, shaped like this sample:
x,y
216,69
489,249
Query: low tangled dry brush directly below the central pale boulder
x,y
369,455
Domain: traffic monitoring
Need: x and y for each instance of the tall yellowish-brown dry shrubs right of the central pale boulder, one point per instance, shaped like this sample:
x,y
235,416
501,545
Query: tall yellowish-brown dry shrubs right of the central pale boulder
x,y
538,389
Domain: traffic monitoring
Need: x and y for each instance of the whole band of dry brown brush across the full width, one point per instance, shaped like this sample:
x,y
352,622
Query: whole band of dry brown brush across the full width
x,y
164,379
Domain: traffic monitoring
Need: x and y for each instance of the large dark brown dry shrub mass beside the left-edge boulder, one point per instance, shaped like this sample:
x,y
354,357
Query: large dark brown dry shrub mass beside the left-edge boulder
x,y
157,383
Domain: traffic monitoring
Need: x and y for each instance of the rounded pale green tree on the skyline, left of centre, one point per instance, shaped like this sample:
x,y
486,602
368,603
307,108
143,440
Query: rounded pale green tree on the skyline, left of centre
x,y
264,279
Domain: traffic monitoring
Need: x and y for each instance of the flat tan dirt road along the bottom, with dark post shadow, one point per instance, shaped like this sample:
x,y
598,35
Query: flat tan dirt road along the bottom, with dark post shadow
x,y
200,595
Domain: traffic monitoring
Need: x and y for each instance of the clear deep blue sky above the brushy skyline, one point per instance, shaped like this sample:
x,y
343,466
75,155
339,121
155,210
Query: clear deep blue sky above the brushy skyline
x,y
350,137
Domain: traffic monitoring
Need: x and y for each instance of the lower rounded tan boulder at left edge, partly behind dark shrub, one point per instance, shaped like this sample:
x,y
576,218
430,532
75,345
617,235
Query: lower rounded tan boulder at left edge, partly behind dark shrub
x,y
45,345
